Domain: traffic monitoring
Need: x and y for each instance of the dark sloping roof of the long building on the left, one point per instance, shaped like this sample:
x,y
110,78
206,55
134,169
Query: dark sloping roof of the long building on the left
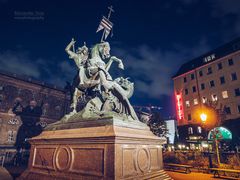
x,y
30,80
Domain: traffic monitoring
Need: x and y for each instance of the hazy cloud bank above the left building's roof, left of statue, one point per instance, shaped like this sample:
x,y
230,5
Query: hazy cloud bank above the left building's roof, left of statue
x,y
21,63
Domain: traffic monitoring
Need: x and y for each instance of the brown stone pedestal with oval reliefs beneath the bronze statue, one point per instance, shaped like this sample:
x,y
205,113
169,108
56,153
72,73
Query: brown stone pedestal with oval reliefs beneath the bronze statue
x,y
96,149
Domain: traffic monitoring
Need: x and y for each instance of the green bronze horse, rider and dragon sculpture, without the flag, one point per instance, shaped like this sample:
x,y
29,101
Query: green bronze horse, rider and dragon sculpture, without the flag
x,y
93,76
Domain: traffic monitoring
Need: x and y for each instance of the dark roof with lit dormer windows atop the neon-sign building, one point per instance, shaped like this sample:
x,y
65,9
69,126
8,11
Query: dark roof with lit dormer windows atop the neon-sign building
x,y
210,56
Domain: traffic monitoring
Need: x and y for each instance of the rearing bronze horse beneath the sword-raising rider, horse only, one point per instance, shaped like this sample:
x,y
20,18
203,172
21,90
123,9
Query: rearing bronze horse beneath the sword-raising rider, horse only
x,y
95,72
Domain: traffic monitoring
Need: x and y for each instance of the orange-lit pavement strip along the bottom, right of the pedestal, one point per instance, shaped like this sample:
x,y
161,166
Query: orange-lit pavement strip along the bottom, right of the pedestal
x,y
194,176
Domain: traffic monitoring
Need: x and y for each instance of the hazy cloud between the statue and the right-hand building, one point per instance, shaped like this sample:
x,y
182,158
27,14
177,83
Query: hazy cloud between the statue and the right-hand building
x,y
152,69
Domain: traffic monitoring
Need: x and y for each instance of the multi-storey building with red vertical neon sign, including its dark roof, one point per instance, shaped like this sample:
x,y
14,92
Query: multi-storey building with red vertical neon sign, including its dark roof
x,y
214,76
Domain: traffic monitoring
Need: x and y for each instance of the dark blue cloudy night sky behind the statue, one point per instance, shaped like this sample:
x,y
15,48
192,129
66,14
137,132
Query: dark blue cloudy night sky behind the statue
x,y
153,37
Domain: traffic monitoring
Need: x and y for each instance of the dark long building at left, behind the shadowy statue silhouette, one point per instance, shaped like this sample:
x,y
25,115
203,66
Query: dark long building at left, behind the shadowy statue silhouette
x,y
13,88
